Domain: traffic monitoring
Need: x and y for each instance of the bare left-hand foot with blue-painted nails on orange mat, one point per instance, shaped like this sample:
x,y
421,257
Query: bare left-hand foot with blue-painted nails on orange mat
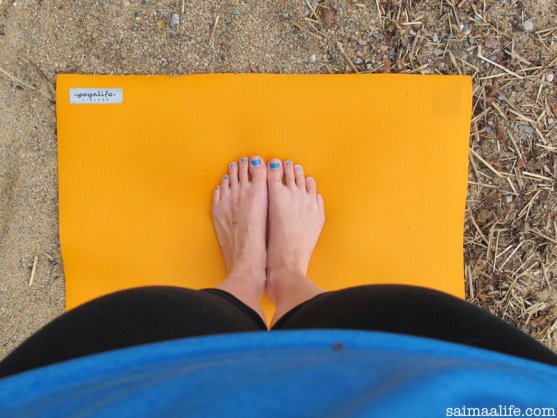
x,y
240,217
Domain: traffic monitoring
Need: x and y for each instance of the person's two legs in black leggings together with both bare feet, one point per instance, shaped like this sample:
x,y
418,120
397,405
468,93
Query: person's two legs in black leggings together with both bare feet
x,y
251,193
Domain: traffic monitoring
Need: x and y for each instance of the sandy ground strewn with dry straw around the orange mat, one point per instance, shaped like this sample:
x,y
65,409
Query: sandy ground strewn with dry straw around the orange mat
x,y
39,39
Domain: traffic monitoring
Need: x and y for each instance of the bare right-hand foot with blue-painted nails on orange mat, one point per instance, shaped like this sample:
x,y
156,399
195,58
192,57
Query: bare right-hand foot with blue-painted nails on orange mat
x,y
296,217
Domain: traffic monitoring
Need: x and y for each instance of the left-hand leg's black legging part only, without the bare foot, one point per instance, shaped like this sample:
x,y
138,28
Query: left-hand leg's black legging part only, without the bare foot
x,y
131,317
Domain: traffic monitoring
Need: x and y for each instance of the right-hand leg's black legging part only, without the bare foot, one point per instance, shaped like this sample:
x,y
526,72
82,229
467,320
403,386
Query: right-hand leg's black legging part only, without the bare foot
x,y
416,311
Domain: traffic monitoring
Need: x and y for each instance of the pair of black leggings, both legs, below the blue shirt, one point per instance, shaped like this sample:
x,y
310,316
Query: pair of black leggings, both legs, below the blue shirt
x,y
149,314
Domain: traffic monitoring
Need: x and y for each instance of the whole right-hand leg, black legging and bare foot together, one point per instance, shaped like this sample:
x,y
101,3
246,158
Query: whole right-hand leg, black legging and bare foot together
x,y
296,217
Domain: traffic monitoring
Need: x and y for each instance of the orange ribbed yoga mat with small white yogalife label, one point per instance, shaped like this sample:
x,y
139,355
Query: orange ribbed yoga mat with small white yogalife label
x,y
139,157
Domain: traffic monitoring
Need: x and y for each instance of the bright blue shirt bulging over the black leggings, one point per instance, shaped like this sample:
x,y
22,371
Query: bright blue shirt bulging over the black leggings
x,y
297,373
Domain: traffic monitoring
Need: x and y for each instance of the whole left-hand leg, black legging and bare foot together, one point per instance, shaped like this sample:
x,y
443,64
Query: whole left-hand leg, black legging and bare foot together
x,y
142,315
